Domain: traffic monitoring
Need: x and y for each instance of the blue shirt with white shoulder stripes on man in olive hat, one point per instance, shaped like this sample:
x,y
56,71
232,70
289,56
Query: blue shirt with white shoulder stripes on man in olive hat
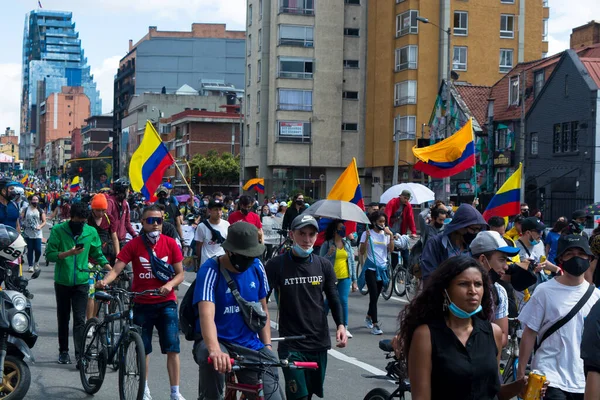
x,y
212,286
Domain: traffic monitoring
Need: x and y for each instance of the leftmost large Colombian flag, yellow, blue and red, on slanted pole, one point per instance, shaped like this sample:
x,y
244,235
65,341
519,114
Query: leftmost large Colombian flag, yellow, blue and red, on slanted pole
x,y
148,163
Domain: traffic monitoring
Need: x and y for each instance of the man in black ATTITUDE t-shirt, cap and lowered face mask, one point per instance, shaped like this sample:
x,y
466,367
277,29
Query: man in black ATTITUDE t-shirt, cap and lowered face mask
x,y
300,279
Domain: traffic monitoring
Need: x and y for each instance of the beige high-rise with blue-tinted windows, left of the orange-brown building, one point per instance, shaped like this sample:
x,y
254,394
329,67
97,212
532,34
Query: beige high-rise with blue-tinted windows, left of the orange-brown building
x,y
304,103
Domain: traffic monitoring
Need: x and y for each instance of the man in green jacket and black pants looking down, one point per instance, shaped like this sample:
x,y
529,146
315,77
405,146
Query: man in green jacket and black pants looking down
x,y
70,245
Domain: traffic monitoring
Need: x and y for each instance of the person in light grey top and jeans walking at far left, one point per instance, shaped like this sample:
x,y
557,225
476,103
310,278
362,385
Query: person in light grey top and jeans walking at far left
x,y
34,219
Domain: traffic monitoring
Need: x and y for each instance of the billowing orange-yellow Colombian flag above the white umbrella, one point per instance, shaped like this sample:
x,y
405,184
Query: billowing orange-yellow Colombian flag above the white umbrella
x,y
448,157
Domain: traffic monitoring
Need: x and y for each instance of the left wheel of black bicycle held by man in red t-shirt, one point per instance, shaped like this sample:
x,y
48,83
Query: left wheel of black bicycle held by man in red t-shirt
x,y
93,357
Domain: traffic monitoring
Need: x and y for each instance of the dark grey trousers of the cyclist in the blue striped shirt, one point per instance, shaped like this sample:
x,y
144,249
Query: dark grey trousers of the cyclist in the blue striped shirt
x,y
211,385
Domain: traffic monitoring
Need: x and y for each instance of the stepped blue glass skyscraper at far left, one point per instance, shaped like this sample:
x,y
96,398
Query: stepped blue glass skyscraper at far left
x,y
52,58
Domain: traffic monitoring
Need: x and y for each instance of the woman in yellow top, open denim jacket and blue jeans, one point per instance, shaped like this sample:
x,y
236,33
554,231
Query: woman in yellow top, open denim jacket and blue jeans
x,y
338,250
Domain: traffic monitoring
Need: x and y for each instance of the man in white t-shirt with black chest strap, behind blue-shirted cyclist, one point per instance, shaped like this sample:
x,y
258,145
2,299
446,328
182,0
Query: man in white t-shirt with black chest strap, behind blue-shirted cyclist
x,y
211,233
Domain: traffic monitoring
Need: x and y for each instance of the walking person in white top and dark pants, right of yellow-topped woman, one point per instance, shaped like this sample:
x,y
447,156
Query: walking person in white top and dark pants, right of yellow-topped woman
x,y
375,243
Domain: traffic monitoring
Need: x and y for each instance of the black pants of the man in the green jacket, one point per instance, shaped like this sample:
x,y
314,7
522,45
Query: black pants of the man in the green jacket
x,y
70,298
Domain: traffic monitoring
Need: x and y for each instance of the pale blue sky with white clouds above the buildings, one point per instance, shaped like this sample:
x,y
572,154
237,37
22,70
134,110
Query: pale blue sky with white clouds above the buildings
x,y
105,27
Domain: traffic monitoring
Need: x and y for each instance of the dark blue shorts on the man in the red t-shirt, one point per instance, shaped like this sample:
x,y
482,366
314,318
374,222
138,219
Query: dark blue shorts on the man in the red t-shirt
x,y
164,317
